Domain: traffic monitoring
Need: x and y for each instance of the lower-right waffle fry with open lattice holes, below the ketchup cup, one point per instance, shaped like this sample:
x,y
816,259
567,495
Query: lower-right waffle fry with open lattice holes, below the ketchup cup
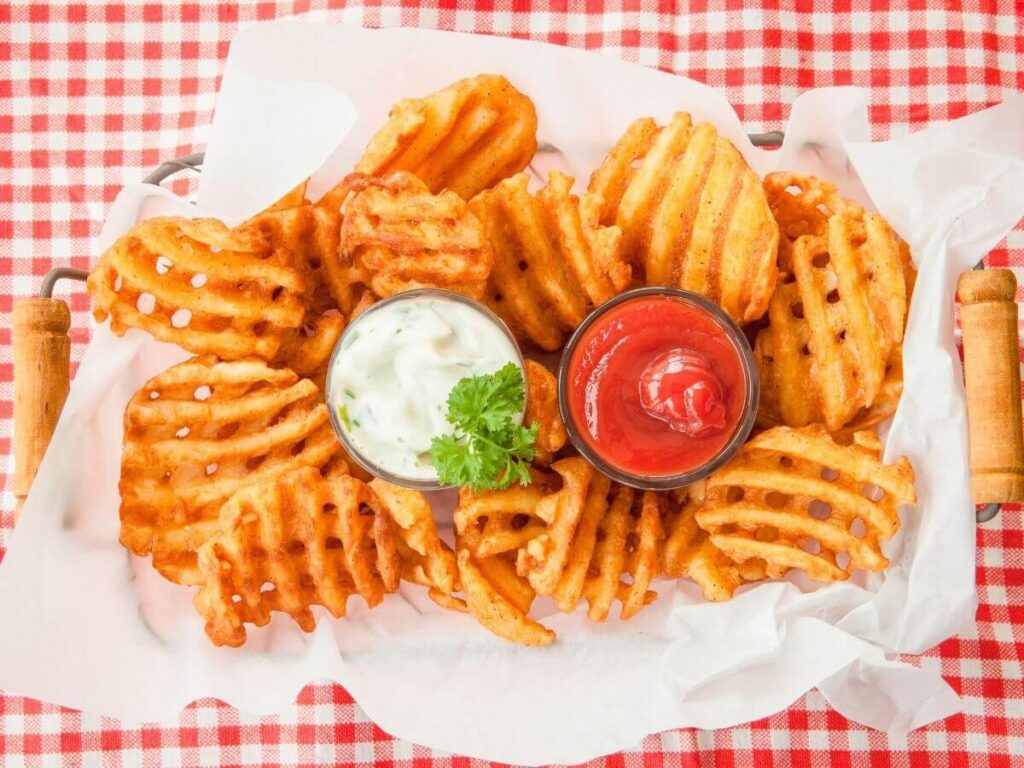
x,y
795,499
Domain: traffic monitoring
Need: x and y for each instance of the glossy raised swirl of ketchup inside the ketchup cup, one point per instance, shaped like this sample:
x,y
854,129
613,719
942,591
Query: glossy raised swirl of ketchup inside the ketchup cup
x,y
680,389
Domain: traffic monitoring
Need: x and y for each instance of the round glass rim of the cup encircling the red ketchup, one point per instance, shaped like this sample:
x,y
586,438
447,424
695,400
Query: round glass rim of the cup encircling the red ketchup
x,y
665,483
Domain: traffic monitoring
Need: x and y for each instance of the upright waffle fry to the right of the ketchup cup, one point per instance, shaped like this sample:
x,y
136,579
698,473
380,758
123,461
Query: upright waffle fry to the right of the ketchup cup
x,y
836,321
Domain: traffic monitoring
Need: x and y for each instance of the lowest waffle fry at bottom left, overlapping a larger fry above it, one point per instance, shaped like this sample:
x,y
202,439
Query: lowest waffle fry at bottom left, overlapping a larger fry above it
x,y
292,542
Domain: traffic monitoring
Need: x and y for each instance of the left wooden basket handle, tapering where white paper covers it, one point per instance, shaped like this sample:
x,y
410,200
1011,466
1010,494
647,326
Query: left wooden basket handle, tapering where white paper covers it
x,y
42,375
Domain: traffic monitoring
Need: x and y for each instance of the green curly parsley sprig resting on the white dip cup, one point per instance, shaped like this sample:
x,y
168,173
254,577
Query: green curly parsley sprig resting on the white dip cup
x,y
489,450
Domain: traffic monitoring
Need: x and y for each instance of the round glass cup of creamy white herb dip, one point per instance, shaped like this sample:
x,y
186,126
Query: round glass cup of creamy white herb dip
x,y
393,369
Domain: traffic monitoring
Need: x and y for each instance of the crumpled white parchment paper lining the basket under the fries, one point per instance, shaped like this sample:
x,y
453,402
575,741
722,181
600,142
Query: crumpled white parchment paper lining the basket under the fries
x,y
86,625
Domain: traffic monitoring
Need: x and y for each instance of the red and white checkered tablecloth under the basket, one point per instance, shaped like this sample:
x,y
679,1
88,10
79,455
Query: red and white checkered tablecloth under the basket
x,y
93,96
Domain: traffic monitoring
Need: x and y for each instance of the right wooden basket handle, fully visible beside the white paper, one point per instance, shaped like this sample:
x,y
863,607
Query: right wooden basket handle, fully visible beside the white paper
x,y
992,374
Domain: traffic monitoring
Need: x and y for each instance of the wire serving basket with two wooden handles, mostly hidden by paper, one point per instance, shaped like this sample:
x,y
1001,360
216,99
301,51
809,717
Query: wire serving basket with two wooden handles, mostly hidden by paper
x,y
989,314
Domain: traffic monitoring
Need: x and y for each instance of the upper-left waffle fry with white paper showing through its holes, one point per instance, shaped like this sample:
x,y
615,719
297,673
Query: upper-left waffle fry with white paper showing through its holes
x,y
200,285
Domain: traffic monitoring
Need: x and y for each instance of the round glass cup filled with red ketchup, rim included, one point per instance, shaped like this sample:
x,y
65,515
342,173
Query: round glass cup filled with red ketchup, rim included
x,y
658,389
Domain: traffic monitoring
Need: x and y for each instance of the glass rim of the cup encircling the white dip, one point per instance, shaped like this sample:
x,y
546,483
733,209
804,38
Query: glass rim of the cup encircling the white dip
x,y
351,449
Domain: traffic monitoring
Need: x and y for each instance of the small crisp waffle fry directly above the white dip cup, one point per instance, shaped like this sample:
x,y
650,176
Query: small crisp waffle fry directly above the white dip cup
x,y
397,236
